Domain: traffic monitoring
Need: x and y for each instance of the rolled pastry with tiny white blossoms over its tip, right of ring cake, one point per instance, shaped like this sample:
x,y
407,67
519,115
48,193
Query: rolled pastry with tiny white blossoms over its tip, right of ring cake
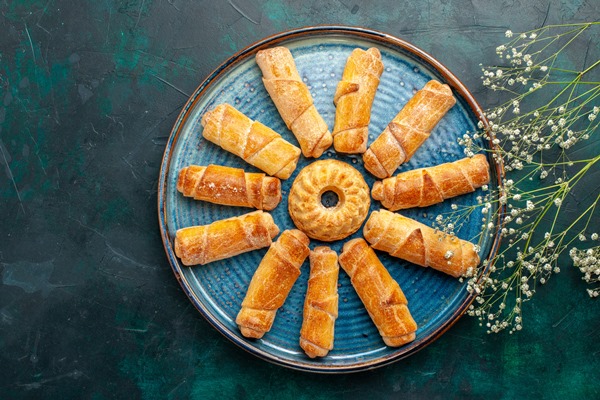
x,y
419,244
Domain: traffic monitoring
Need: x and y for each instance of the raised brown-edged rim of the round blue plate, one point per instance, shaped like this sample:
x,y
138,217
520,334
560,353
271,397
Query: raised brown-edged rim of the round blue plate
x,y
373,35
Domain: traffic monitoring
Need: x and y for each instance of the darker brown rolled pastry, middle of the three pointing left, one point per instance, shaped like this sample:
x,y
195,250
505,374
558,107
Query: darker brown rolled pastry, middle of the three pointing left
x,y
229,186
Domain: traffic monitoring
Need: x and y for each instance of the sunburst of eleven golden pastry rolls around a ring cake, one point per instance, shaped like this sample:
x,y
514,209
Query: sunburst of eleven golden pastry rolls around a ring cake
x,y
384,230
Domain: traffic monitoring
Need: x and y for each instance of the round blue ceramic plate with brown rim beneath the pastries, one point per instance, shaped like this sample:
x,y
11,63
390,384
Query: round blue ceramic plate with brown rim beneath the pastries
x,y
436,301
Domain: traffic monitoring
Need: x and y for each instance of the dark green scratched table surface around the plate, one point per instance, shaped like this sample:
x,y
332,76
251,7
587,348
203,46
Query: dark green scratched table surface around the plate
x,y
89,307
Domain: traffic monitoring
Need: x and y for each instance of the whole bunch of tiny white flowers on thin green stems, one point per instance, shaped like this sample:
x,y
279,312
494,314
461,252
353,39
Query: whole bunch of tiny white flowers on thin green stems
x,y
545,114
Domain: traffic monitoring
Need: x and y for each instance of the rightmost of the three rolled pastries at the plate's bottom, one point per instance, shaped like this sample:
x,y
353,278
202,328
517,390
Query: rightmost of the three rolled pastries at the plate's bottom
x,y
380,293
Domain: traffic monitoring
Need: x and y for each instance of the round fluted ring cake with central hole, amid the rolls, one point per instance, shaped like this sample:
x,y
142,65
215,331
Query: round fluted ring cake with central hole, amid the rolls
x,y
333,223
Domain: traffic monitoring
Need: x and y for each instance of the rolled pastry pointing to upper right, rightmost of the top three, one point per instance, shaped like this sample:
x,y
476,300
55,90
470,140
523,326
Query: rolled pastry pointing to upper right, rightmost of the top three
x,y
408,130
